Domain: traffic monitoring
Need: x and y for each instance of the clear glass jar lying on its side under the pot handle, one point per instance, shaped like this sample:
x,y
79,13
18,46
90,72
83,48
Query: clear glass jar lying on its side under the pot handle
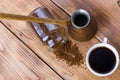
x,y
50,34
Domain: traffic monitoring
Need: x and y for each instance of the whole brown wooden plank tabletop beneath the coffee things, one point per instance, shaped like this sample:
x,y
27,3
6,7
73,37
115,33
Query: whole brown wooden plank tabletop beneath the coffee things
x,y
22,55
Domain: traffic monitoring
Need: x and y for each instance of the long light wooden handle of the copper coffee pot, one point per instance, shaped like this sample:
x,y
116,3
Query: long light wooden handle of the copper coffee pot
x,y
33,19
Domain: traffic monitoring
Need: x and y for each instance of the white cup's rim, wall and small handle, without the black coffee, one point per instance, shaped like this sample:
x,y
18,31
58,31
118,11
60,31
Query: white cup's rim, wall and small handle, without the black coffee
x,y
108,46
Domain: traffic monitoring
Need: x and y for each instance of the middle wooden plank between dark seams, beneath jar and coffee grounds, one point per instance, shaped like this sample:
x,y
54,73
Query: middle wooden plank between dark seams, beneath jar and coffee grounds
x,y
27,34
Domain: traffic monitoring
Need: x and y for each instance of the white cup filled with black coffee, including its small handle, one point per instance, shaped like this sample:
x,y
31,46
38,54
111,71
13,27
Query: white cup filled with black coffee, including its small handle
x,y
102,59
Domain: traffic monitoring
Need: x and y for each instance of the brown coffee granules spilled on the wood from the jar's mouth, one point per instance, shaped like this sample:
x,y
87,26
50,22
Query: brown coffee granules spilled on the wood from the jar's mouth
x,y
68,52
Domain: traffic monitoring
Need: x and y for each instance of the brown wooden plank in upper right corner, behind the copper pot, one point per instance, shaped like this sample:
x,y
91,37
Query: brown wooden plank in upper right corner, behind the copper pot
x,y
106,12
